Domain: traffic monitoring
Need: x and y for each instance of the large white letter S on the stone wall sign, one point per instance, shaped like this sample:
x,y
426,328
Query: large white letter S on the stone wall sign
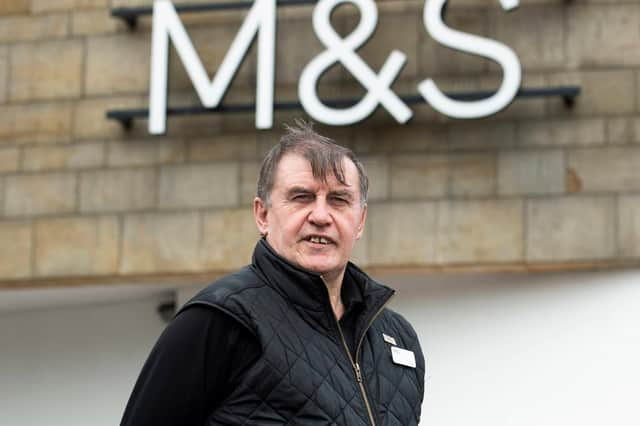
x,y
476,45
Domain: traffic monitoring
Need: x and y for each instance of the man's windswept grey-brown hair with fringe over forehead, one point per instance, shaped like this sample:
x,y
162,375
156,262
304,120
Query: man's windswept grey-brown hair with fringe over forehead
x,y
323,154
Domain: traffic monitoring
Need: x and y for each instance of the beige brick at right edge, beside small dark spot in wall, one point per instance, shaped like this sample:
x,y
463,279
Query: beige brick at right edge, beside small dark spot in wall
x,y
606,169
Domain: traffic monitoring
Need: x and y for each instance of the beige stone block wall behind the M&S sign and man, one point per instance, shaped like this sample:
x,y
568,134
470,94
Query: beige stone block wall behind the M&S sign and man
x,y
536,186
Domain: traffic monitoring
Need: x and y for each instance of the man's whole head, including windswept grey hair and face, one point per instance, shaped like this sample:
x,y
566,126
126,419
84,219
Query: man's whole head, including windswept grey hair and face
x,y
311,202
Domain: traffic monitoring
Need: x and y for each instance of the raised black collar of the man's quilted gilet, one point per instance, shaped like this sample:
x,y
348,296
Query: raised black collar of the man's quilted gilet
x,y
307,293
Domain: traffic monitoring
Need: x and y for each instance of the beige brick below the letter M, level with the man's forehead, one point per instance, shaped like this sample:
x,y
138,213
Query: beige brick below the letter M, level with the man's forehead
x,y
206,185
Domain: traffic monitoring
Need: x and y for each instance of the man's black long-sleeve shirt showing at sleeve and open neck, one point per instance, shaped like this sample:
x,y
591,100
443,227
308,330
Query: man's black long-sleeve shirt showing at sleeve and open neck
x,y
199,359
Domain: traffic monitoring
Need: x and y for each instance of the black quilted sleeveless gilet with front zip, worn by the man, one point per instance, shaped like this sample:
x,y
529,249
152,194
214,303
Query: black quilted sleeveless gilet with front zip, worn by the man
x,y
305,375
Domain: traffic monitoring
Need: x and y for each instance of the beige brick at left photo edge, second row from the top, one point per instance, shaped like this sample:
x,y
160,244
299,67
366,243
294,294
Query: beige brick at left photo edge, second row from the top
x,y
27,28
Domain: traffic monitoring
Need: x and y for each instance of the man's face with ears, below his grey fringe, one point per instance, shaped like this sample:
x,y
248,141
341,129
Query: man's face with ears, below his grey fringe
x,y
311,223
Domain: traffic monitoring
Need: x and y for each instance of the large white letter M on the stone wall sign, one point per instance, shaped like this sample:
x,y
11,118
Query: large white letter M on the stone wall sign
x,y
167,25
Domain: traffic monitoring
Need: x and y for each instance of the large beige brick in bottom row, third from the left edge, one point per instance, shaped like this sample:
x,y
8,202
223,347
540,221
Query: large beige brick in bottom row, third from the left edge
x,y
161,243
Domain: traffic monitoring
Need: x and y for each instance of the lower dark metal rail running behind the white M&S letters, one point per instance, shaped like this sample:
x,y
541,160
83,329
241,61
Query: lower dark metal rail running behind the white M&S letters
x,y
126,116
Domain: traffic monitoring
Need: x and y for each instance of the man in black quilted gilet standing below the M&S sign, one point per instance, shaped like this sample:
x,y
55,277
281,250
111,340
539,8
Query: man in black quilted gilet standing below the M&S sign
x,y
301,336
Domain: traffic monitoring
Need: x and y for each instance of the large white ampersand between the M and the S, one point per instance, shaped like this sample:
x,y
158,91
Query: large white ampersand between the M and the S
x,y
344,51
